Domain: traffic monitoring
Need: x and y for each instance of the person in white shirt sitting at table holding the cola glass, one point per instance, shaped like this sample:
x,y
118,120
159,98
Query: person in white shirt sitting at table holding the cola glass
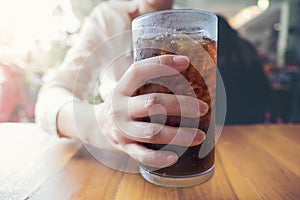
x,y
60,98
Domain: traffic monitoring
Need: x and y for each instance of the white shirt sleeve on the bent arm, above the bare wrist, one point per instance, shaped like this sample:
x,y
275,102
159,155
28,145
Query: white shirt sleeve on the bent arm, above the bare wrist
x,y
58,87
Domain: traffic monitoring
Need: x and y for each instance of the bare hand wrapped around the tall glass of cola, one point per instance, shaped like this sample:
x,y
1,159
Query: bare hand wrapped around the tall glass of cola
x,y
117,116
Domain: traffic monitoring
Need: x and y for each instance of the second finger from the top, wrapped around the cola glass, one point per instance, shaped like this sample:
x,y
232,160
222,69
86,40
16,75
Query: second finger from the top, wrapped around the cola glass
x,y
168,104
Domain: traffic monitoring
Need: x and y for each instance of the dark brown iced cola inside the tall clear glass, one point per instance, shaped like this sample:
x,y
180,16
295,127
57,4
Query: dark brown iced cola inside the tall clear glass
x,y
199,82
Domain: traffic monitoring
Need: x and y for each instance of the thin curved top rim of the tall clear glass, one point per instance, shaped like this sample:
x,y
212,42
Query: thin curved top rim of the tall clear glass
x,y
178,10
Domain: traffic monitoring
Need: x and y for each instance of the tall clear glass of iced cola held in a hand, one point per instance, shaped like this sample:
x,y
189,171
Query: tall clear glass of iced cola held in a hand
x,y
183,32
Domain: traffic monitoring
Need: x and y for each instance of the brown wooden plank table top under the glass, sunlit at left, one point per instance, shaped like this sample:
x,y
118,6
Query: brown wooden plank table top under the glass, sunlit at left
x,y
252,162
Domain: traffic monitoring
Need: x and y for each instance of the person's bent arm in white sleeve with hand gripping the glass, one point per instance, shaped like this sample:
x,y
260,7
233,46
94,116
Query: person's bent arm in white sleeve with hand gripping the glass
x,y
112,125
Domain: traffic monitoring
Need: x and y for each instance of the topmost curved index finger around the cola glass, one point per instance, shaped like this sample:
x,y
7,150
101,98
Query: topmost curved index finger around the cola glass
x,y
142,71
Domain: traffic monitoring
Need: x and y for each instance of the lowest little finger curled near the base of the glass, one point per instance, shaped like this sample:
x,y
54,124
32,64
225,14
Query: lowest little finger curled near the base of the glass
x,y
150,157
